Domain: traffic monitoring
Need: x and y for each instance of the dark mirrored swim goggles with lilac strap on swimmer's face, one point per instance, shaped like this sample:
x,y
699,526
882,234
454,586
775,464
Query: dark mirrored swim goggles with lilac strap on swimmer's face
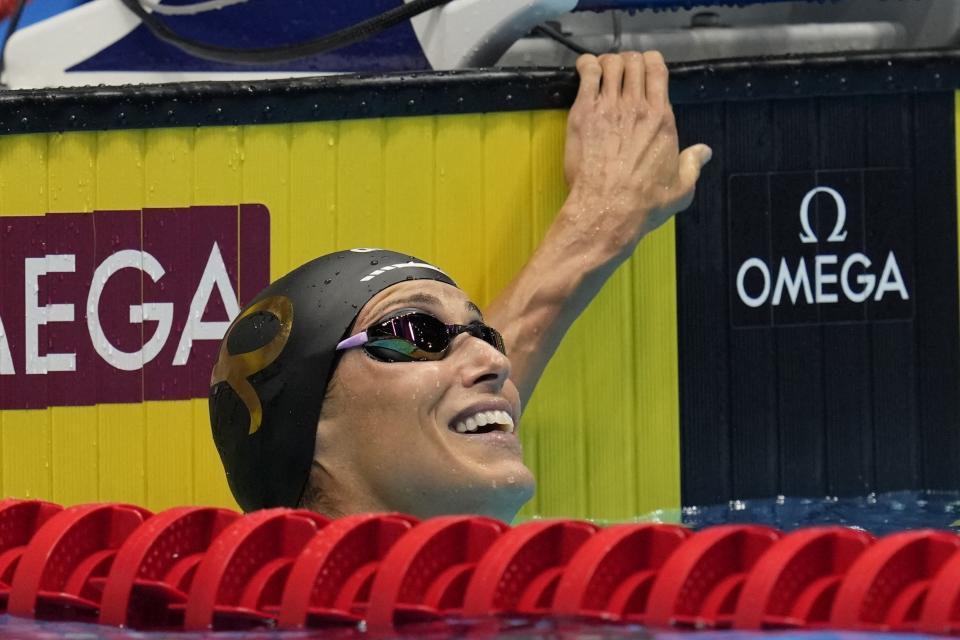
x,y
417,336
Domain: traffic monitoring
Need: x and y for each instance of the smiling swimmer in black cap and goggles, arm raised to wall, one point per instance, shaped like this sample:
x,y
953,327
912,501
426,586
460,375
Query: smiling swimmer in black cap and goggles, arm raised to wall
x,y
367,381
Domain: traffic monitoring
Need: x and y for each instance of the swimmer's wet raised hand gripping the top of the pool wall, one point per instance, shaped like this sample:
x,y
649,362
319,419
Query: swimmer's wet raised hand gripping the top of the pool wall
x,y
622,162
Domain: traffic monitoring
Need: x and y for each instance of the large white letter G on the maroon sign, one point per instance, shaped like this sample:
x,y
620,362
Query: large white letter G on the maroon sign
x,y
162,312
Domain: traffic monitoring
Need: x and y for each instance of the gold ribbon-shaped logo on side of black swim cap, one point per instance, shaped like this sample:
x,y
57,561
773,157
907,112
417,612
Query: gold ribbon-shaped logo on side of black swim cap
x,y
234,369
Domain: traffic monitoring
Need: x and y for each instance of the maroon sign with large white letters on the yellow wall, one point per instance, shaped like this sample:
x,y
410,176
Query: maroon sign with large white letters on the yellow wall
x,y
123,306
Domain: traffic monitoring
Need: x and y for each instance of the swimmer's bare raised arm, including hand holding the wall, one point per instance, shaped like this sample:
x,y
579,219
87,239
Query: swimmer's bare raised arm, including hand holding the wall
x,y
626,177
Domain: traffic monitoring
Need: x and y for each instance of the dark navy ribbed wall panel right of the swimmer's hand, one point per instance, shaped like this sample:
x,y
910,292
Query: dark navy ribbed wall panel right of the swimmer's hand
x,y
837,400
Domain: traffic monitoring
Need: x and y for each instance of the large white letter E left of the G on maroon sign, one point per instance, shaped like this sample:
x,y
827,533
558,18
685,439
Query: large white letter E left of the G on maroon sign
x,y
37,315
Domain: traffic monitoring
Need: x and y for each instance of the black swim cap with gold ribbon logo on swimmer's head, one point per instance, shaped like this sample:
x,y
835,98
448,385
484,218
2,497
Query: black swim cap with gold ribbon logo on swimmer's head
x,y
275,362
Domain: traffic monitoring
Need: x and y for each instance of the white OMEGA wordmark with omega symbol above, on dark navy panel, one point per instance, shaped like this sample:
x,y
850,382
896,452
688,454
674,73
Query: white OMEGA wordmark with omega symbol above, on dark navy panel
x,y
817,283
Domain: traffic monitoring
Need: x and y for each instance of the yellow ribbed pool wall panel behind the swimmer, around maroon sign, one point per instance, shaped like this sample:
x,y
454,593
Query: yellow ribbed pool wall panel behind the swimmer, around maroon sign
x,y
471,193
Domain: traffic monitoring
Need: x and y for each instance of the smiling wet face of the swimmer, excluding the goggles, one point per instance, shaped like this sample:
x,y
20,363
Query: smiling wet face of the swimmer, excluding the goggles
x,y
409,436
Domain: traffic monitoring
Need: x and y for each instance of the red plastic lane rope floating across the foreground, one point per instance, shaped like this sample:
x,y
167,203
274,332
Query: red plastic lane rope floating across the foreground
x,y
198,568
